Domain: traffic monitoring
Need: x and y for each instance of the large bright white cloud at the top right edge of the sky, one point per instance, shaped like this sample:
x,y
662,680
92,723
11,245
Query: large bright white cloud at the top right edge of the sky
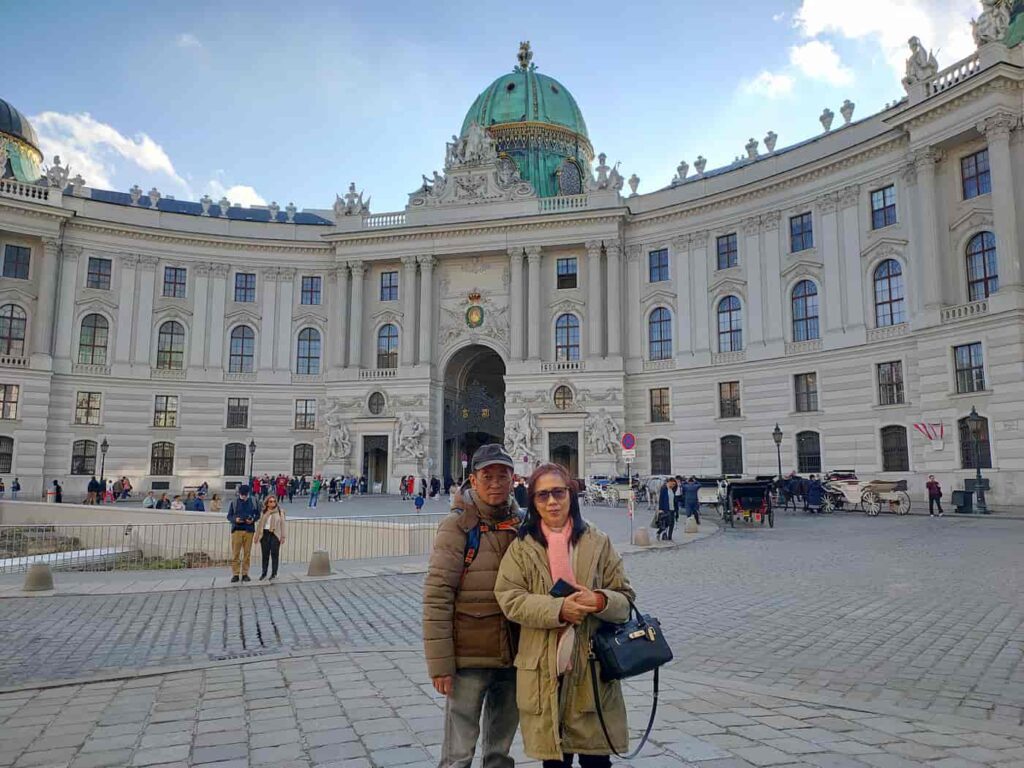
x,y
943,25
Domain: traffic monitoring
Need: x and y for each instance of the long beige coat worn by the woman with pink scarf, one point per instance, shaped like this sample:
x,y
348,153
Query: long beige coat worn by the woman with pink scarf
x,y
551,724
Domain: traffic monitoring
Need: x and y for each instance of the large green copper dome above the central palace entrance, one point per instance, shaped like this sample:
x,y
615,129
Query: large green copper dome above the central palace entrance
x,y
536,121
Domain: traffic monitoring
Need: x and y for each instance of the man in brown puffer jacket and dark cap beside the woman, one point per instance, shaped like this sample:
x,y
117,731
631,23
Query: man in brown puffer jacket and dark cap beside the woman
x,y
468,643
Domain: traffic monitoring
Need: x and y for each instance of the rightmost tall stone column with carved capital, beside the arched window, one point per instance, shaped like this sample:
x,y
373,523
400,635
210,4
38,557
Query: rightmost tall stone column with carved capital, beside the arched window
x,y
997,131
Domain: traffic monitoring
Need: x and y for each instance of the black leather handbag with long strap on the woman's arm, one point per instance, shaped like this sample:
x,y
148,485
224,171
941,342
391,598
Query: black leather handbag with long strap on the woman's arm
x,y
625,651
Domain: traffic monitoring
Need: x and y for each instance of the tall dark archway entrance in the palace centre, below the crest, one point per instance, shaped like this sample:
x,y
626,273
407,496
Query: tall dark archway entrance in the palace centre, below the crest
x,y
475,406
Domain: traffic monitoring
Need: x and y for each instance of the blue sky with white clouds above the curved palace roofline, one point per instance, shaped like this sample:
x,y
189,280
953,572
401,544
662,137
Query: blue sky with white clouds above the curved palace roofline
x,y
291,102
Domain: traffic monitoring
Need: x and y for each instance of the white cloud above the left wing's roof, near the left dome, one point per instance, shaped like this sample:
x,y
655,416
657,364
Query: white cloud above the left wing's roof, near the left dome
x,y
95,149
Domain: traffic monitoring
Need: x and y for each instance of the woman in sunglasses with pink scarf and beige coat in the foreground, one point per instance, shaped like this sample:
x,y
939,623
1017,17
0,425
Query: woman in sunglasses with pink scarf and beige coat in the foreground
x,y
554,695
